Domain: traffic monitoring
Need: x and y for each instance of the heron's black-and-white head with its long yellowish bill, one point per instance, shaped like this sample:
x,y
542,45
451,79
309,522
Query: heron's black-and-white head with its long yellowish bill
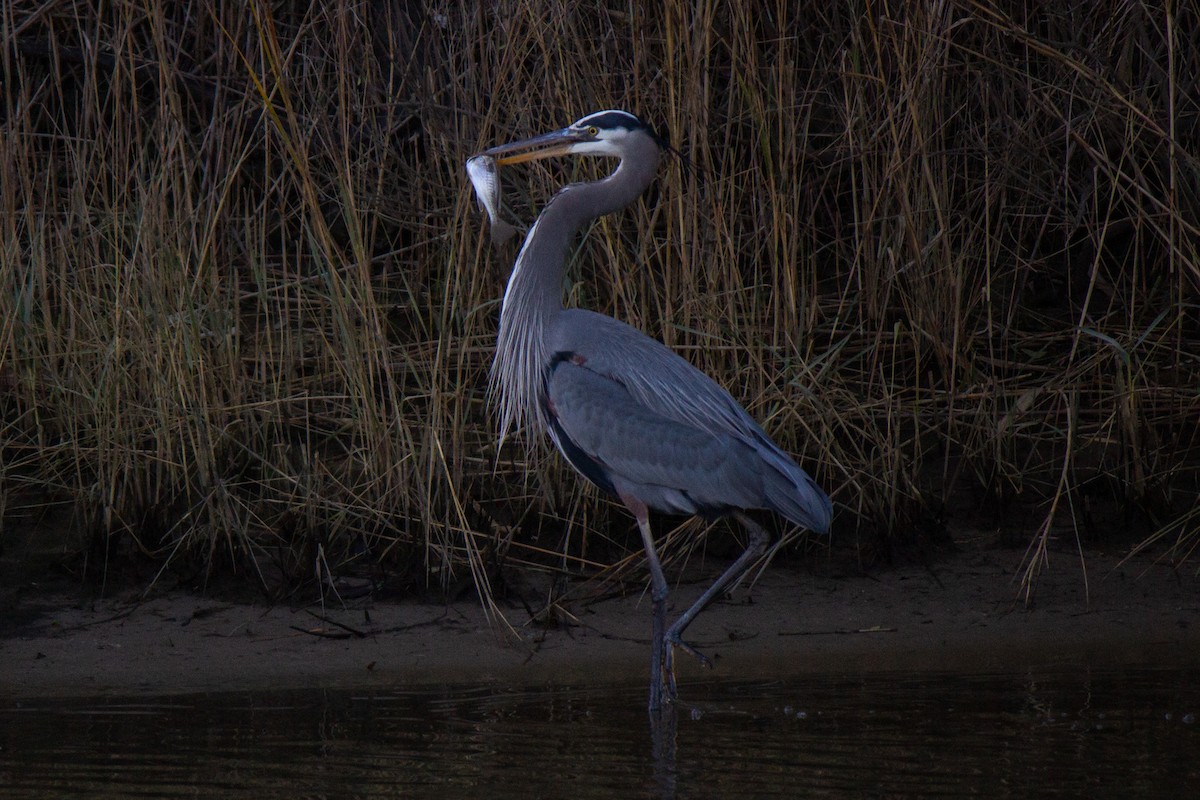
x,y
603,134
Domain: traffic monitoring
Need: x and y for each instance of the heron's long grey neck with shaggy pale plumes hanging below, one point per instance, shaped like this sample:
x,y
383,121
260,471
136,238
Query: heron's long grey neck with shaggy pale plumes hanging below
x,y
535,294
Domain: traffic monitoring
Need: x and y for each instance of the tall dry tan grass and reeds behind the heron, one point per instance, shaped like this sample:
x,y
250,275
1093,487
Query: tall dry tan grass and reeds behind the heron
x,y
947,252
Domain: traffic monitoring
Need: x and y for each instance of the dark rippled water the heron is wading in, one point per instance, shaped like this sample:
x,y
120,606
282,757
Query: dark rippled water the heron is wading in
x,y
1113,733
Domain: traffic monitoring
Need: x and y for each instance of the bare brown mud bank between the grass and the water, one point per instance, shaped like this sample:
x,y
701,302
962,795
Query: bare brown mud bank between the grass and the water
x,y
957,616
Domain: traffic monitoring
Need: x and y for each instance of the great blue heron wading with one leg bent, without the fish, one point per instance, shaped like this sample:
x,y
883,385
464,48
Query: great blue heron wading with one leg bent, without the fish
x,y
631,416
